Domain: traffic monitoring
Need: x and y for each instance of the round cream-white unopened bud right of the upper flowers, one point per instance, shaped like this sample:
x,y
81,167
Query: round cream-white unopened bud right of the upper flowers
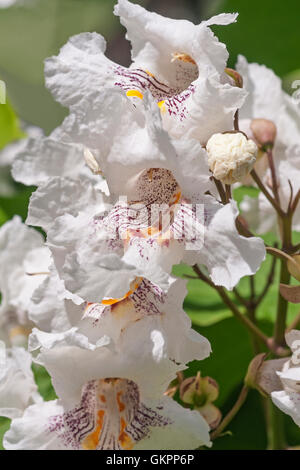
x,y
231,156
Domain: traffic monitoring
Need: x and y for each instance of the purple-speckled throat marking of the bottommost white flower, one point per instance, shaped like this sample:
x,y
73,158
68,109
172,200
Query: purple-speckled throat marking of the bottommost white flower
x,y
74,426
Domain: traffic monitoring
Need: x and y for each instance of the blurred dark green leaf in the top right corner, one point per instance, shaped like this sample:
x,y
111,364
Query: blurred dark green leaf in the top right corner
x,y
265,33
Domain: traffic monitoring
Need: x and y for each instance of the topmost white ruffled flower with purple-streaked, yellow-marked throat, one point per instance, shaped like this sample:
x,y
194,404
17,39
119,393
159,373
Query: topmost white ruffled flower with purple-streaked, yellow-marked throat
x,y
179,63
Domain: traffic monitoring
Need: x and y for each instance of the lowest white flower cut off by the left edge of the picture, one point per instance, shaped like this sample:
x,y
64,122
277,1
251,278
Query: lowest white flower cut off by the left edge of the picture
x,y
17,386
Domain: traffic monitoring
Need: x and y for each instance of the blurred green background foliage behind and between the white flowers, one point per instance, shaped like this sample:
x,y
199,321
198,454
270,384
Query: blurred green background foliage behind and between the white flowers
x,y
266,32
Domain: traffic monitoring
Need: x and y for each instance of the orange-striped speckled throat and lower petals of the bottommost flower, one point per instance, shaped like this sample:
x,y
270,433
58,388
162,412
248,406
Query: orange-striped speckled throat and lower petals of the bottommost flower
x,y
113,414
